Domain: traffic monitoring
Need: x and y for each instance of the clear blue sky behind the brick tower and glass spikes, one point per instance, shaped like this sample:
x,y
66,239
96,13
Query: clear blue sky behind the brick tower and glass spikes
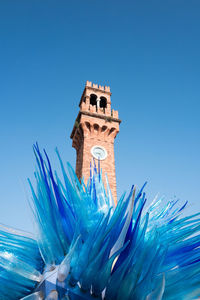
x,y
147,51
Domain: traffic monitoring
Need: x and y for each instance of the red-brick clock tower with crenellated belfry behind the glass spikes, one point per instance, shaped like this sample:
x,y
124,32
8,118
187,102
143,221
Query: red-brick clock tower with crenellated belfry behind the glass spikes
x,y
94,131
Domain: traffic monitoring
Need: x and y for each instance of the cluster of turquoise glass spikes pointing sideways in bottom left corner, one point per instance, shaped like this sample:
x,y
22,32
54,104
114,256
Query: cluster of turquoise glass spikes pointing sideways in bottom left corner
x,y
20,264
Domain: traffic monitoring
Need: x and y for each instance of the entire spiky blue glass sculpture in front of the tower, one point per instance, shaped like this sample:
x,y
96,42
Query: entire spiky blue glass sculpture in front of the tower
x,y
86,248
